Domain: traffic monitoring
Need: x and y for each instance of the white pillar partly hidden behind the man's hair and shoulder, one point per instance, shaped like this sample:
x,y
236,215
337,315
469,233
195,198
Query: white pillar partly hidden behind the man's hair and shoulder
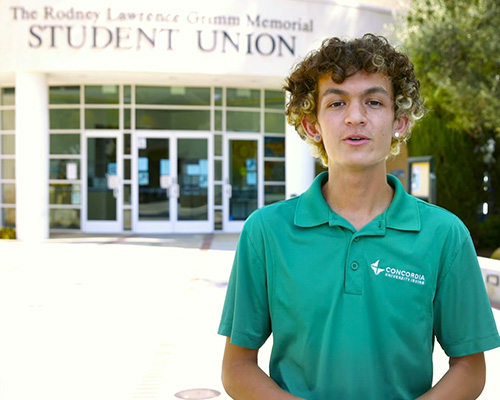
x,y
300,164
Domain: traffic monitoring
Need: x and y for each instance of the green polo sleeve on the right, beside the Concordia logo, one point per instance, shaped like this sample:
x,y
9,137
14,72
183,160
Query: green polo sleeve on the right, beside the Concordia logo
x,y
463,319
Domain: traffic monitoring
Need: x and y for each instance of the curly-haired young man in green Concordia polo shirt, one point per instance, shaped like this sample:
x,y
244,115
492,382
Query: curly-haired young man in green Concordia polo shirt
x,y
355,278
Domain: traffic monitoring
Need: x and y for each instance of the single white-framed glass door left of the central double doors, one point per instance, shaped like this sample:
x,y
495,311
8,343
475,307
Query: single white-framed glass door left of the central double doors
x,y
102,211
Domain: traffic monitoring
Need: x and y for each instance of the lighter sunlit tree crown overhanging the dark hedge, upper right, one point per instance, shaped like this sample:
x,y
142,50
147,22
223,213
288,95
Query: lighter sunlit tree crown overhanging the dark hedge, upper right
x,y
455,46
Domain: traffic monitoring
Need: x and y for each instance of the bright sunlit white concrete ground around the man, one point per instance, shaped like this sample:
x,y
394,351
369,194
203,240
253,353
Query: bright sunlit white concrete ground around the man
x,y
119,318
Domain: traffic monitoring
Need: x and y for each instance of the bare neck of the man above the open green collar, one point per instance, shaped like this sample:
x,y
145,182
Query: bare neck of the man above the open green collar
x,y
358,196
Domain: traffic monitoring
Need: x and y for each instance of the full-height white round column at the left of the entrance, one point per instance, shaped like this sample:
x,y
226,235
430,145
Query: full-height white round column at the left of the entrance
x,y
32,153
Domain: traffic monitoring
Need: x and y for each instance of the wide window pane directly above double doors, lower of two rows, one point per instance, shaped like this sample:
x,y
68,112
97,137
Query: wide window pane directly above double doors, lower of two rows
x,y
173,119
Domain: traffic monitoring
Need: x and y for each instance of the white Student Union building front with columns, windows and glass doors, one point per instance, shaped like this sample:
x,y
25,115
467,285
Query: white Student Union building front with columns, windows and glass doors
x,y
154,117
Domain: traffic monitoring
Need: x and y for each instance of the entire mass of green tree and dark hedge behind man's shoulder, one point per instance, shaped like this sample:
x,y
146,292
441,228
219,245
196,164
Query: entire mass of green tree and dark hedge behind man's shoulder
x,y
455,46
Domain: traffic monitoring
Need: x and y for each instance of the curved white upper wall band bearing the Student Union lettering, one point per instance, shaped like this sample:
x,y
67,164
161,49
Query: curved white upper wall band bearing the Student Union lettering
x,y
182,36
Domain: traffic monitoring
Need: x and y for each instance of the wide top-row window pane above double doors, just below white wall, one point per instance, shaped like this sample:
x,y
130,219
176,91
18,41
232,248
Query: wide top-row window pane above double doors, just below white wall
x,y
172,95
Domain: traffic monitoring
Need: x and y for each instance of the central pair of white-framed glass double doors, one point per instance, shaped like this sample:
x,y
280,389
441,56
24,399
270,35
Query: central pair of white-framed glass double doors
x,y
173,183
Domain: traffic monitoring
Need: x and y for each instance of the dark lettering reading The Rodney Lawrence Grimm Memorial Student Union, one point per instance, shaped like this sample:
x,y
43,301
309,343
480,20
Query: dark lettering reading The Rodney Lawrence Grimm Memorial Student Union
x,y
76,29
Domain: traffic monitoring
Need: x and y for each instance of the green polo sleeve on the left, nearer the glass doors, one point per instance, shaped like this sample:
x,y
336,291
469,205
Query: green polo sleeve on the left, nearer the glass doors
x,y
245,316
